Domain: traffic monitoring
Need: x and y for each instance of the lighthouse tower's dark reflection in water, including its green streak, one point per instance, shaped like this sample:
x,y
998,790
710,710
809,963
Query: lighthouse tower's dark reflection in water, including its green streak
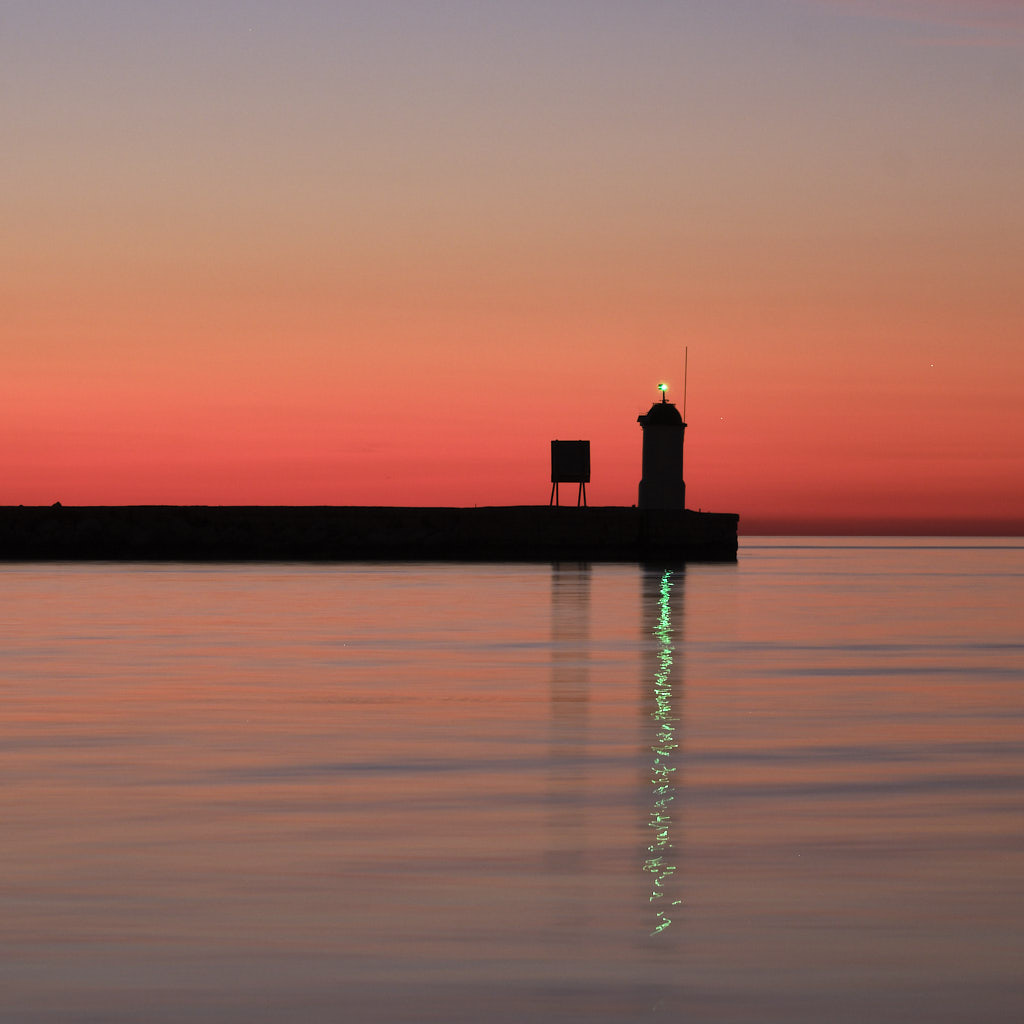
x,y
664,623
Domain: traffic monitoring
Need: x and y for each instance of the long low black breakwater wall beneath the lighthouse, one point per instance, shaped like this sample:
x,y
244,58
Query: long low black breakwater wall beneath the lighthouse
x,y
199,533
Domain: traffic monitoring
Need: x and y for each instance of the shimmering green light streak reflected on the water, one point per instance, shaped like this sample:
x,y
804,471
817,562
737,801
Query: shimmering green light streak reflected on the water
x,y
663,789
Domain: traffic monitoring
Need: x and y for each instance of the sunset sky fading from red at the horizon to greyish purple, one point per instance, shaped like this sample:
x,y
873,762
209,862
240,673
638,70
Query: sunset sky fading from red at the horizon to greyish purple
x,y
360,253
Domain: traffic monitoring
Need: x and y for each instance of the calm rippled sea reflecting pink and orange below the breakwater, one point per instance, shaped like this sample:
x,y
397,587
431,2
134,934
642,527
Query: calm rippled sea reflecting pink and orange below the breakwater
x,y
788,790
